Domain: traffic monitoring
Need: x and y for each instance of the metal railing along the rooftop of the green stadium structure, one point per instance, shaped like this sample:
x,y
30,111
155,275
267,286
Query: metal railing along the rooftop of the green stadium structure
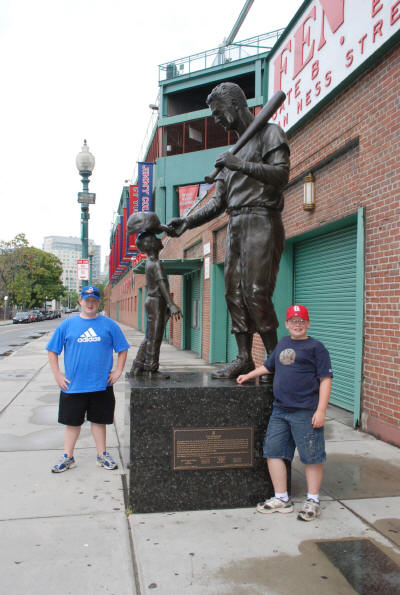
x,y
219,56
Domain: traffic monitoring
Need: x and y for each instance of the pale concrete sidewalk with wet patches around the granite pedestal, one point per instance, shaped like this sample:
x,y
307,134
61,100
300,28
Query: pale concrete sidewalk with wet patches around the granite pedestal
x,y
69,534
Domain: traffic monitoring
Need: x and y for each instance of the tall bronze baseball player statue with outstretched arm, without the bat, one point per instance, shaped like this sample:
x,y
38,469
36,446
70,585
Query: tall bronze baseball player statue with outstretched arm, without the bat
x,y
249,188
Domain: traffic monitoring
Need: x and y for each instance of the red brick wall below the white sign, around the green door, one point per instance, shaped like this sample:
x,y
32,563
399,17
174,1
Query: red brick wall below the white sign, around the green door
x,y
368,176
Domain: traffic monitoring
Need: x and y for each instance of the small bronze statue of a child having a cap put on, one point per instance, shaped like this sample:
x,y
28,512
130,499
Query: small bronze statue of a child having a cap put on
x,y
158,305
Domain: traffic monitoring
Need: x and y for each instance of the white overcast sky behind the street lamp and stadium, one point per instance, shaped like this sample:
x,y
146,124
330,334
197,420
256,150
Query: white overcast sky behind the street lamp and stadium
x,y
76,69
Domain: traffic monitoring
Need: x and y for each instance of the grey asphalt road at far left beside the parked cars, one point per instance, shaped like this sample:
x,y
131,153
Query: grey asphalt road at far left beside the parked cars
x,y
15,336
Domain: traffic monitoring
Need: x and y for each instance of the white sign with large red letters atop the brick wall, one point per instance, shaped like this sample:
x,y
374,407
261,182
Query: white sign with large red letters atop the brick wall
x,y
330,40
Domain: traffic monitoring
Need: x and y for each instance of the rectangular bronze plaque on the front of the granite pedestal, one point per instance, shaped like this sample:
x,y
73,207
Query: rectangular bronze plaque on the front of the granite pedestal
x,y
212,448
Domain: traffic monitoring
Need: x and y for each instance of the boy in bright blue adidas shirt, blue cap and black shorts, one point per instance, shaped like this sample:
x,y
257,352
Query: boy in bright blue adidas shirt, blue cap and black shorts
x,y
86,386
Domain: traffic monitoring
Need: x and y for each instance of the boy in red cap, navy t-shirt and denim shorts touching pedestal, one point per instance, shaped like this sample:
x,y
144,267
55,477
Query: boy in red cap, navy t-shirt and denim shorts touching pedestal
x,y
302,385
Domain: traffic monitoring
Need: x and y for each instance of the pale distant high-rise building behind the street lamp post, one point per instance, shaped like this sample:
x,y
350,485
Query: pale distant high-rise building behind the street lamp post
x,y
69,249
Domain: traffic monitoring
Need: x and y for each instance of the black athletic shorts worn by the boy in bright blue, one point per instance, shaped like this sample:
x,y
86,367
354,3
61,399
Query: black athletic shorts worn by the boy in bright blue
x,y
98,406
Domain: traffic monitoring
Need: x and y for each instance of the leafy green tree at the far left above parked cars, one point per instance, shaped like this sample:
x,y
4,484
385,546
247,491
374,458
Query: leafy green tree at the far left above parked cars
x,y
28,275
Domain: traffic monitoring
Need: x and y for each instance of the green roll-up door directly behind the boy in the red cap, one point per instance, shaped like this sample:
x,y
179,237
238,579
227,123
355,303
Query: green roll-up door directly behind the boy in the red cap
x,y
325,282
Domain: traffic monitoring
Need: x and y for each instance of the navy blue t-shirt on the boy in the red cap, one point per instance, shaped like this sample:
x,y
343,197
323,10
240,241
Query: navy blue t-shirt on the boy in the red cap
x,y
298,367
